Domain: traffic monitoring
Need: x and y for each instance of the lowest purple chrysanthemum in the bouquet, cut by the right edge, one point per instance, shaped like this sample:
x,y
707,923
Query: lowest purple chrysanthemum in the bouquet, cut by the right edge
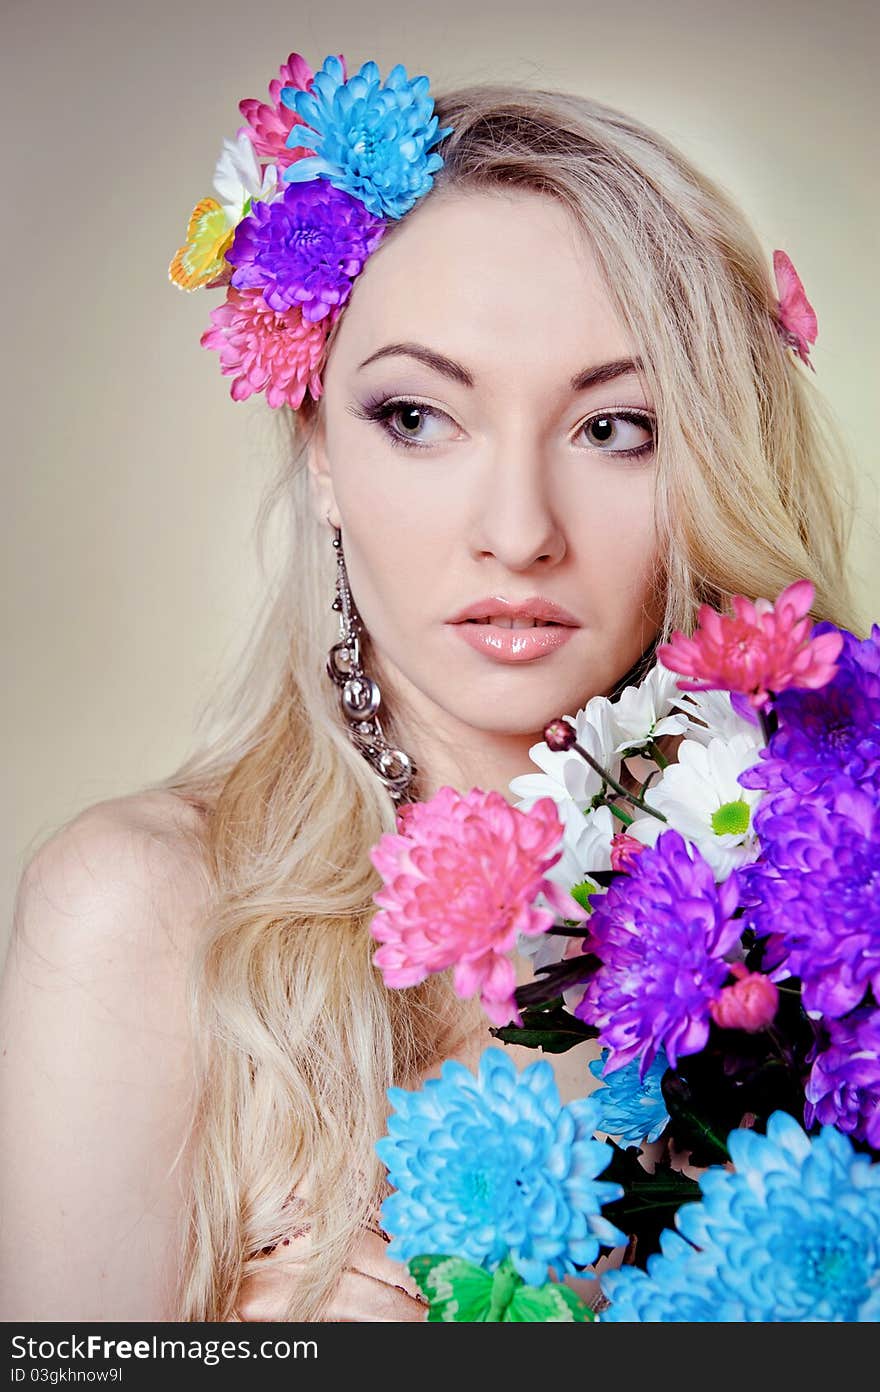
x,y
844,1084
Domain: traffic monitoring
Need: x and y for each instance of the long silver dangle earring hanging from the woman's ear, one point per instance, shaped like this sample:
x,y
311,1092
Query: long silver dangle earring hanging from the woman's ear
x,y
360,695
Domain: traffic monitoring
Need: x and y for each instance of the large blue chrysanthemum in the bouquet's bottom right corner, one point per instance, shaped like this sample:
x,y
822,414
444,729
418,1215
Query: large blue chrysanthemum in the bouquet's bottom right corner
x,y
793,1235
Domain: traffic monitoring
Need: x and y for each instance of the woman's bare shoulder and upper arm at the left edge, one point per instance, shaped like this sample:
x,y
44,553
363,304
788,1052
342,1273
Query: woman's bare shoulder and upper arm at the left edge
x,y
97,1064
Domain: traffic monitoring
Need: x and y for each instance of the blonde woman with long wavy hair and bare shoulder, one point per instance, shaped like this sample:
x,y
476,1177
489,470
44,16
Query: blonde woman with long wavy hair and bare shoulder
x,y
560,379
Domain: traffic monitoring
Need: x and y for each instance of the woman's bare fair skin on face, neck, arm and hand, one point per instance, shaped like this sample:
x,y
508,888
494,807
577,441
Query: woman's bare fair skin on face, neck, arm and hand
x,y
512,491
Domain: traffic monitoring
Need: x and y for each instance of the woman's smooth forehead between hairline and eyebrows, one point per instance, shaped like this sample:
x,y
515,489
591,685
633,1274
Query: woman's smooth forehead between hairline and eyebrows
x,y
487,279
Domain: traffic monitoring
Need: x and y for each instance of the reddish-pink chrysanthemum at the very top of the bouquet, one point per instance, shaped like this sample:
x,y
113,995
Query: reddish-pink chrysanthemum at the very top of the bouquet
x,y
762,649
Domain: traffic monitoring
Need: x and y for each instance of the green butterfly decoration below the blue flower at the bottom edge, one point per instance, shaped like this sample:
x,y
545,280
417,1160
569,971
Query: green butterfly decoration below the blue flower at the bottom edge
x,y
460,1291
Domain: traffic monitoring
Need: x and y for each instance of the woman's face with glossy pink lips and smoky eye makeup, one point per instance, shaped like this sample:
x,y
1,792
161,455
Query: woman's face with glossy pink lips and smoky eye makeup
x,y
482,441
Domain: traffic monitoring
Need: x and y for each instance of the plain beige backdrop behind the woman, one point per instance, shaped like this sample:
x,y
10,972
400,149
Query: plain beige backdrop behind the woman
x,y
132,480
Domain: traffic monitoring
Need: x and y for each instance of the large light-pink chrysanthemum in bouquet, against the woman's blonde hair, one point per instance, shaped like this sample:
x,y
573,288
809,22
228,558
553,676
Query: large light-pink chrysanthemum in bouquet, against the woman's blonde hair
x,y
462,878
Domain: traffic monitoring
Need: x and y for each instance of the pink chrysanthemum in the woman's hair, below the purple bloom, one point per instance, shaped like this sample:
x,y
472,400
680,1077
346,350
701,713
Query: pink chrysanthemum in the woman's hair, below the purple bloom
x,y
264,350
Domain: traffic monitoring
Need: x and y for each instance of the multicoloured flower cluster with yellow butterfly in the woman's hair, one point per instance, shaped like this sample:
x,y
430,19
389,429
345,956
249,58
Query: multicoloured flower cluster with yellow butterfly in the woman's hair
x,y
306,193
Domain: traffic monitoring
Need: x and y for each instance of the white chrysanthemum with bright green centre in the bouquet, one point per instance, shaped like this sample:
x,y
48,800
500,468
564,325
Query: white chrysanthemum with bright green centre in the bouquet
x,y
701,798
